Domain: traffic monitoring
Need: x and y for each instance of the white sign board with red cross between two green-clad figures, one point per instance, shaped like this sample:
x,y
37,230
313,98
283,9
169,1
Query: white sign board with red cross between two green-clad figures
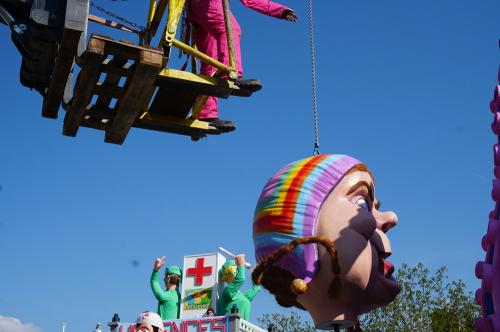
x,y
200,284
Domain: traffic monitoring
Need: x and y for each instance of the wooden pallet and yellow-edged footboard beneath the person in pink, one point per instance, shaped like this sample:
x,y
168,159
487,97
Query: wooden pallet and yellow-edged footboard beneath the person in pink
x,y
122,85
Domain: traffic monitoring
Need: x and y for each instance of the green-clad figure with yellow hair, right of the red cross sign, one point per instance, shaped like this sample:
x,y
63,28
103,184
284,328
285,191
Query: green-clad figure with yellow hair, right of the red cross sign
x,y
231,294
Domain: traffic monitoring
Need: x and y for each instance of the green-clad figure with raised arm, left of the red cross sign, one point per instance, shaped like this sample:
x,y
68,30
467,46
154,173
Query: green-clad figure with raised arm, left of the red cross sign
x,y
168,301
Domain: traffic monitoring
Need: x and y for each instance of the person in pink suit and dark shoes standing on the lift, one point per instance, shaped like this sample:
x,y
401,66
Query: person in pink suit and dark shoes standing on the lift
x,y
210,38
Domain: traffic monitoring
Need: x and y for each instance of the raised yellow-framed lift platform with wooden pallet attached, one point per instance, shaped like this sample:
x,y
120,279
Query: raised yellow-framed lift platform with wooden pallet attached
x,y
121,84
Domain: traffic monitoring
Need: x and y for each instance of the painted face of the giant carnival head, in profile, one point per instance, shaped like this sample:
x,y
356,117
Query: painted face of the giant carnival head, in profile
x,y
351,219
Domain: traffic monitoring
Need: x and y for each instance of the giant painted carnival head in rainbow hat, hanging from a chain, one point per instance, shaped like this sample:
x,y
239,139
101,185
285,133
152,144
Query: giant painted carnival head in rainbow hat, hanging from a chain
x,y
320,240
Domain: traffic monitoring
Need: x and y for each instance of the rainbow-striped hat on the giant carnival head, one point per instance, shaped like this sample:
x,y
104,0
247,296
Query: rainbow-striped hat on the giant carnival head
x,y
288,208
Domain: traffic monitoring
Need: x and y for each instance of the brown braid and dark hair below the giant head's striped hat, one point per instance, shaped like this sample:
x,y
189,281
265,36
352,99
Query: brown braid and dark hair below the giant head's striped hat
x,y
282,283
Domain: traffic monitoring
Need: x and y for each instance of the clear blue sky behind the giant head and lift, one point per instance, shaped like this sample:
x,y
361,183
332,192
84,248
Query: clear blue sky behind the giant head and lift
x,y
403,86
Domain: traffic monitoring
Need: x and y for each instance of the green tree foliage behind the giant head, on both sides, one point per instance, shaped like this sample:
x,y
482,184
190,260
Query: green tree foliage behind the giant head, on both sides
x,y
427,302
